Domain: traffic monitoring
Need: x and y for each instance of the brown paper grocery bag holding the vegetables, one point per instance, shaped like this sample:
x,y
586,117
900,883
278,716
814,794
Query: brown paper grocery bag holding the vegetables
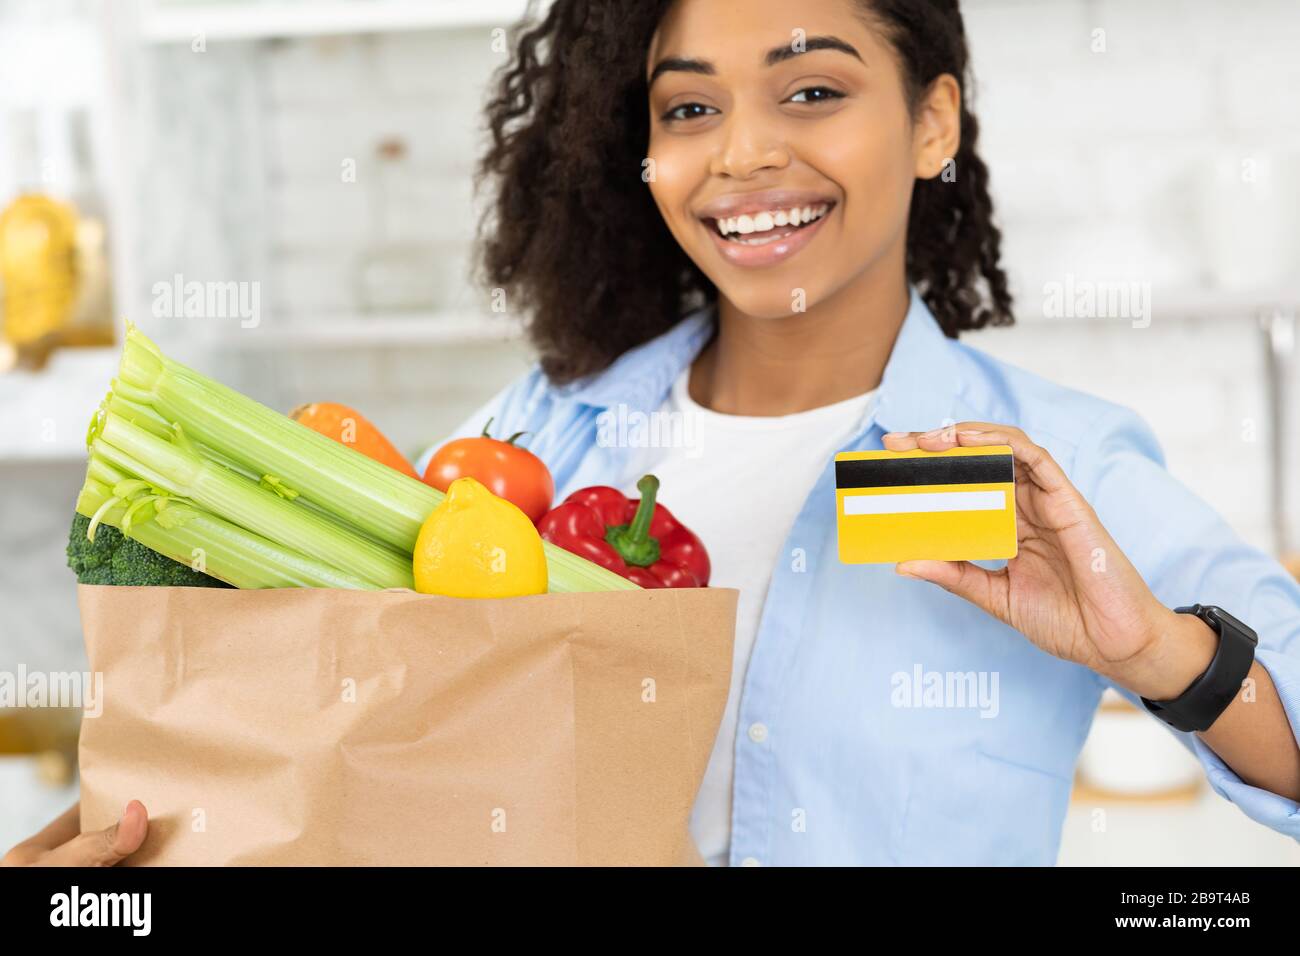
x,y
343,728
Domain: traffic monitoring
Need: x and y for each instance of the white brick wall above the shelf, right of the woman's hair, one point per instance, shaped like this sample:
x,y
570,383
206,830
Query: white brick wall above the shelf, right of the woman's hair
x,y
1111,165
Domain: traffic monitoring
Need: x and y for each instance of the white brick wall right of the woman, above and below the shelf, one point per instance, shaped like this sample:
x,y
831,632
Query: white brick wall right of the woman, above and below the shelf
x,y
1126,166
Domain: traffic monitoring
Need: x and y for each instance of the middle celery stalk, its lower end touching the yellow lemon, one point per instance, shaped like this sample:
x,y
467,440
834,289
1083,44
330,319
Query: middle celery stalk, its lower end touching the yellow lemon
x,y
183,471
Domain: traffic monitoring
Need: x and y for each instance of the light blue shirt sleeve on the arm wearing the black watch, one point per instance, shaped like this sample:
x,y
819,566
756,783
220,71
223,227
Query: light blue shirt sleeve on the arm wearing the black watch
x,y
1189,555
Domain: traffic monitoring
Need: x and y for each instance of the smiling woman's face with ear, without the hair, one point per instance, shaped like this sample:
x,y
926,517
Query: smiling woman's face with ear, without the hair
x,y
753,139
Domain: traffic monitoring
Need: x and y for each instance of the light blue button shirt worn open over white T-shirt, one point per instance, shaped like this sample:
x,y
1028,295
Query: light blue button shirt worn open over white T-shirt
x,y
855,765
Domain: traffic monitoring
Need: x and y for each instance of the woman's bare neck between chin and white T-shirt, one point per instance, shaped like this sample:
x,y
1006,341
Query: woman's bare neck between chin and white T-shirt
x,y
834,352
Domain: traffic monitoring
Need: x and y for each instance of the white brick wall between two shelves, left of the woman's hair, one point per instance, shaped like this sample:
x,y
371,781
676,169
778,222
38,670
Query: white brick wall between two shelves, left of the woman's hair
x,y
396,236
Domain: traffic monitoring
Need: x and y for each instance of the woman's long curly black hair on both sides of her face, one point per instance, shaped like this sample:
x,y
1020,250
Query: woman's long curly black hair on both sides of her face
x,y
574,232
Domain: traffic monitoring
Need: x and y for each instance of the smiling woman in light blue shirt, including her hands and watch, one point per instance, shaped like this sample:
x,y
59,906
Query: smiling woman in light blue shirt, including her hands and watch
x,y
803,180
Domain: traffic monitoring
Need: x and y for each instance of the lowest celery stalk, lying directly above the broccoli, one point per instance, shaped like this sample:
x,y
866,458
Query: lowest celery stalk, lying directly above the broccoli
x,y
229,553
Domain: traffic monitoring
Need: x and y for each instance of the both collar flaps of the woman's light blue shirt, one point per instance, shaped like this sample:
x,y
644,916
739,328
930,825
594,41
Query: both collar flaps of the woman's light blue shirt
x,y
918,390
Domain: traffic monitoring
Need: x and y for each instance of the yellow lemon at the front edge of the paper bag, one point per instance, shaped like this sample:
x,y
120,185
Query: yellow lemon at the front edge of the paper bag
x,y
479,546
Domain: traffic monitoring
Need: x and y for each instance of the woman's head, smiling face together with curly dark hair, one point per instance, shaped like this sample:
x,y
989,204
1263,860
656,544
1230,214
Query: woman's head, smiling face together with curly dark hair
x,y
730,113
